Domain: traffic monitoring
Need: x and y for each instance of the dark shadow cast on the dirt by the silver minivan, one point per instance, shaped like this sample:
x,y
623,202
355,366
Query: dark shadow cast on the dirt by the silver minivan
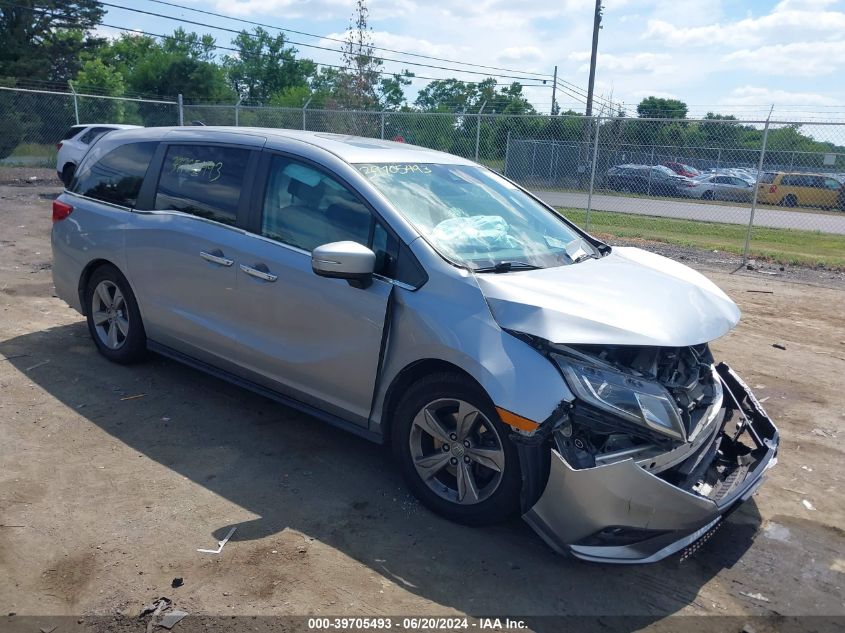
x,y
295,472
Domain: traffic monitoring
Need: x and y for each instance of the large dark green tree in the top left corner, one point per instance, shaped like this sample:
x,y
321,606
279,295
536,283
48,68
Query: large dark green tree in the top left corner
x,y
45,39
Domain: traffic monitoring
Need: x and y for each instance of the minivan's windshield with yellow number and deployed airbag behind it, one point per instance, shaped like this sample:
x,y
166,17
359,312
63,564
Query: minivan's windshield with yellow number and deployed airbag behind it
x,y
477,219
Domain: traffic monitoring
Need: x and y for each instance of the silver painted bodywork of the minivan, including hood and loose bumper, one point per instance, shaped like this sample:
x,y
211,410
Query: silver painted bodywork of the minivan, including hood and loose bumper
x,y
338,349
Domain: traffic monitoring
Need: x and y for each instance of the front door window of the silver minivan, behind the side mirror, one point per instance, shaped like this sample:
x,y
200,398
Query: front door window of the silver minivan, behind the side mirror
x,y
306,208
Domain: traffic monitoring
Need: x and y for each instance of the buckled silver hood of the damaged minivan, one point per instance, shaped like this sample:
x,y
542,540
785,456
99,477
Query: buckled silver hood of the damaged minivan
x,y
630,297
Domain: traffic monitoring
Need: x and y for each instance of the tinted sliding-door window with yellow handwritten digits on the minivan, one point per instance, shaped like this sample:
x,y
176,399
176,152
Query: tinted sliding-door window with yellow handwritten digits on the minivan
x,y
203,180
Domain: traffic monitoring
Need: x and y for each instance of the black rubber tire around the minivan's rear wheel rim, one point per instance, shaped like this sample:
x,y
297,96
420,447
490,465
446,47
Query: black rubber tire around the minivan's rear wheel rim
x,y
131,346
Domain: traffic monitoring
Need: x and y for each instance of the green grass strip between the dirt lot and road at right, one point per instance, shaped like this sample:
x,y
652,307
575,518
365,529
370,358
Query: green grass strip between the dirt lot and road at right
x,y
783,246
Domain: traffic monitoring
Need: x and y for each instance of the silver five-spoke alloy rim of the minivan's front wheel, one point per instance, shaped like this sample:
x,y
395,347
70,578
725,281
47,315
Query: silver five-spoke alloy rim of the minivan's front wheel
x,y
456,451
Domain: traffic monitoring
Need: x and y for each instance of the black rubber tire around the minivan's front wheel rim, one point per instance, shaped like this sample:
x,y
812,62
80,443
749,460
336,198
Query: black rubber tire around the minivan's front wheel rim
x,y
503,500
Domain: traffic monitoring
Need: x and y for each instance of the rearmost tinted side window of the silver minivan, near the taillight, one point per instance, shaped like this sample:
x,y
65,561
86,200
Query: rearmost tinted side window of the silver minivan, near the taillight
x,y
116,176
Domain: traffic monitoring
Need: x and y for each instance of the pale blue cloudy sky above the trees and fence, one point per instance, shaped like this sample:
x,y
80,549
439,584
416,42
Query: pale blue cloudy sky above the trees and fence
x,y
726,56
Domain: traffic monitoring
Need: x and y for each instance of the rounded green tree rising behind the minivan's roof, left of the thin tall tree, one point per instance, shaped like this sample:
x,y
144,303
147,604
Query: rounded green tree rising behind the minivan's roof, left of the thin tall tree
x,y
264,66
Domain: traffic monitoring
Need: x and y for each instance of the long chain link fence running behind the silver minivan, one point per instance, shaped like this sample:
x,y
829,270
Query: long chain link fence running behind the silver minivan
x,y
756,188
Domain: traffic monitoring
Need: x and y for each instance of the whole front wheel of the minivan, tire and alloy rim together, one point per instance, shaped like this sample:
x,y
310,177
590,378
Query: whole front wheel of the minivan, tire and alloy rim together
x,y
455,453
